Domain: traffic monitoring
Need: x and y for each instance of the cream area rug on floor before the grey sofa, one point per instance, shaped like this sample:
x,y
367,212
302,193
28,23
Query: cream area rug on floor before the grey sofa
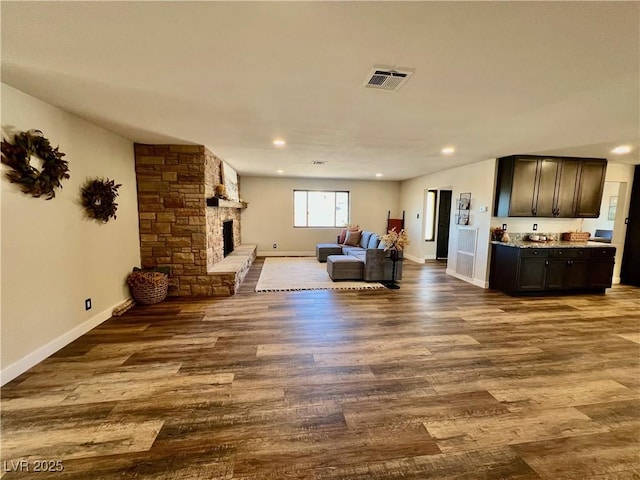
x,y
281,274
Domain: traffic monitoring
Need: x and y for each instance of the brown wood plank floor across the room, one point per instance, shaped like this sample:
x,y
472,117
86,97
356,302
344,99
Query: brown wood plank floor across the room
x,y
437,380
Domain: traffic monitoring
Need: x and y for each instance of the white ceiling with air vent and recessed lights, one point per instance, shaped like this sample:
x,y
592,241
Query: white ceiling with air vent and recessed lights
x,y
491,78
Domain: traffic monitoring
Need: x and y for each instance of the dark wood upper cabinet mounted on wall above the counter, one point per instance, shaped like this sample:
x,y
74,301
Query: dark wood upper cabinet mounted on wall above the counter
x,y
562,187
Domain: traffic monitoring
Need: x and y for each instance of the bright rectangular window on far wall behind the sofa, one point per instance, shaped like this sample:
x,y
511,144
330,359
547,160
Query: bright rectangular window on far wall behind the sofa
x,y
314,208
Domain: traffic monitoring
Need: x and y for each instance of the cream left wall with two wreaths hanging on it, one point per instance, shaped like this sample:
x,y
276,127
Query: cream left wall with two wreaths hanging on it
x,y
53,258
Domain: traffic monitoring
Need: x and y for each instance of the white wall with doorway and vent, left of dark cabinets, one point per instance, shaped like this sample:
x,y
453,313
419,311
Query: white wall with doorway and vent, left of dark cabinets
x,y
477,179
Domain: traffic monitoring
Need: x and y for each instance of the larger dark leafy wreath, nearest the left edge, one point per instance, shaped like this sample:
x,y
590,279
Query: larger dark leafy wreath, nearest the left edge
x,y
31,180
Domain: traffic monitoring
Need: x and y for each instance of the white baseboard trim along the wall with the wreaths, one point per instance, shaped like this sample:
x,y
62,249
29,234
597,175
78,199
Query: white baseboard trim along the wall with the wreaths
x,y
25,363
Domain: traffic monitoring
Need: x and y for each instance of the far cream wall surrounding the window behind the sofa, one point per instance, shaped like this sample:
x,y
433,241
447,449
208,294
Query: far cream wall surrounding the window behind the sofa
x,y
269,217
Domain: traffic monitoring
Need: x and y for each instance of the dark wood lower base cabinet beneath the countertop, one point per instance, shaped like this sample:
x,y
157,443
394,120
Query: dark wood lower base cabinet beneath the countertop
x,y
538,270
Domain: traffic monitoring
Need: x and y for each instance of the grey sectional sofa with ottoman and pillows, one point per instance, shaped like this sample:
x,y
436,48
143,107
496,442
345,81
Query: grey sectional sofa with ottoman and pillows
x,y
367,260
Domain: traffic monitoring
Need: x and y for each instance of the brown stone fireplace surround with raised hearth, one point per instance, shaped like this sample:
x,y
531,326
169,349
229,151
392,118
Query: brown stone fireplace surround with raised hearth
x,y
177,229
